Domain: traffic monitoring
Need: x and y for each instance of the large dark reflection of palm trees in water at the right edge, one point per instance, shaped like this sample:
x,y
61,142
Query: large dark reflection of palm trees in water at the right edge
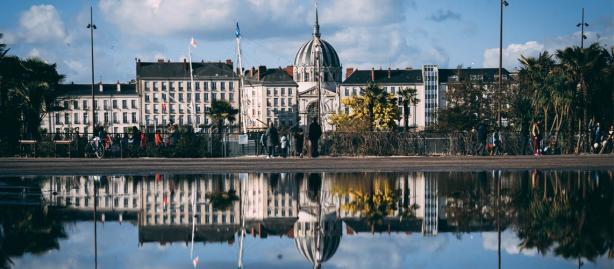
x,y
568,212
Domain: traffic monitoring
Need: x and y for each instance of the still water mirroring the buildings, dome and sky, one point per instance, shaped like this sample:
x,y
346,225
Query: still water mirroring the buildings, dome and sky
x,y
489,219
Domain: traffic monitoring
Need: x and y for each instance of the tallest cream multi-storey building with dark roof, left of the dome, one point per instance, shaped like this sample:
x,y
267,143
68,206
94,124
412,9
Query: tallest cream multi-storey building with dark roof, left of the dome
x,y
168,96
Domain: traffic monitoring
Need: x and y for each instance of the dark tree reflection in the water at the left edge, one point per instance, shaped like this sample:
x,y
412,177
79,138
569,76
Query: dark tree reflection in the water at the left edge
x,y
27,230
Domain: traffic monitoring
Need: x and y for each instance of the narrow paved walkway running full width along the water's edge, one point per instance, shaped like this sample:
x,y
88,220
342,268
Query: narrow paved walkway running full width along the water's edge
x,y
64,166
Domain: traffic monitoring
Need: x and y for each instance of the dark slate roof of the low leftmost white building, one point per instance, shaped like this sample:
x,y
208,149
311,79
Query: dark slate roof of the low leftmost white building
x,y
86,90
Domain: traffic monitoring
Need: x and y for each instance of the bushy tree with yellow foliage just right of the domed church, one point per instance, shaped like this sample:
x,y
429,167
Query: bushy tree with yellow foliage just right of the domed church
x,y
376,109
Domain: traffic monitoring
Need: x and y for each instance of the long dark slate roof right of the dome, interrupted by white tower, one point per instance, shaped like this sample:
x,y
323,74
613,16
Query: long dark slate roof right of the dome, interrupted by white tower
x,y
361,77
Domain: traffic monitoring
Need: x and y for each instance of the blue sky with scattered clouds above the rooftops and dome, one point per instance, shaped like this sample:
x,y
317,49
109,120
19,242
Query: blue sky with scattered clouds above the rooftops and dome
x,y
365,33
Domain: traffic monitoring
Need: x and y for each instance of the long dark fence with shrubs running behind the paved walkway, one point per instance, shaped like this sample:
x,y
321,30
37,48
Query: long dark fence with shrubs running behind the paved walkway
x,y
188,144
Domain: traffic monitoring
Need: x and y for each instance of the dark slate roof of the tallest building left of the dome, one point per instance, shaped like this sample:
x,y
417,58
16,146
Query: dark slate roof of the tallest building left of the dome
x,y
181,70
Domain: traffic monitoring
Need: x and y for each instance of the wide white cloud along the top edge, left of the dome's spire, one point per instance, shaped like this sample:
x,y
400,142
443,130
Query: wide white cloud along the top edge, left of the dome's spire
x,y
208,19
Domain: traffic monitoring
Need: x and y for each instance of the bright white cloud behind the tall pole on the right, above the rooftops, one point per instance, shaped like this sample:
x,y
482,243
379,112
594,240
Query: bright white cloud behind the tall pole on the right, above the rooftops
x,y
511,53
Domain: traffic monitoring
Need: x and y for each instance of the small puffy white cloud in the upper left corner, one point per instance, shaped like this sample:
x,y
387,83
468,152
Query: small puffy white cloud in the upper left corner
x,y
40,24
